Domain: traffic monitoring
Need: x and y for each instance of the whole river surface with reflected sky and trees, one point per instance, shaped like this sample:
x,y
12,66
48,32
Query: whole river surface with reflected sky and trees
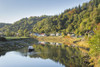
x,y
45,55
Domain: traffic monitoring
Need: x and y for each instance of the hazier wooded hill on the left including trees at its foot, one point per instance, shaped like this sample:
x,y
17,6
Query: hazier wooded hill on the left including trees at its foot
x,y
24,26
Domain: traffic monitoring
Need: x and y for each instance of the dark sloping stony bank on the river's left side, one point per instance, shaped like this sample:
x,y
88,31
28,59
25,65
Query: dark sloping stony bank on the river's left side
x,y
14,43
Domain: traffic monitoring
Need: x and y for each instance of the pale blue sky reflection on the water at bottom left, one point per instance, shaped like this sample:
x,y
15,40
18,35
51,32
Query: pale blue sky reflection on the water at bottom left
x,y
16,59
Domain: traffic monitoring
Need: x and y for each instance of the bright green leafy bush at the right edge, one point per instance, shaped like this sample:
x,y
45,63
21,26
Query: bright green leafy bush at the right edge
x,y
95,44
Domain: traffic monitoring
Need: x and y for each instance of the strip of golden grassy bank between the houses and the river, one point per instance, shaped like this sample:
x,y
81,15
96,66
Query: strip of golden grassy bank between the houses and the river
x,y
66,40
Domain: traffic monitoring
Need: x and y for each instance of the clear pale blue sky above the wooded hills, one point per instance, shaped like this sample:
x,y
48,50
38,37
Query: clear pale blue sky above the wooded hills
x,y
14,10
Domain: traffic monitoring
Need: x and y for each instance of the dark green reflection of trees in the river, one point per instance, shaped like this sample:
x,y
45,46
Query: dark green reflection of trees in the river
x,y
68,56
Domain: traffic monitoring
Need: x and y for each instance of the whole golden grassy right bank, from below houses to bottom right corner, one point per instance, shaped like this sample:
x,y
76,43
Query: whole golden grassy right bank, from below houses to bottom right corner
x,y
81,42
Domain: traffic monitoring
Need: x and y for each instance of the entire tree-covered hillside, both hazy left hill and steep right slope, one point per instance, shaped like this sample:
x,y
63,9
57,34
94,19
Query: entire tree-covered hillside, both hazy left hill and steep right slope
x,y
77,20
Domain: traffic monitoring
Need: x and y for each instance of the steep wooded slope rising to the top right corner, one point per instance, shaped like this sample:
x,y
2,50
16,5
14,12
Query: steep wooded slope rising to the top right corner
x,y
77,20
